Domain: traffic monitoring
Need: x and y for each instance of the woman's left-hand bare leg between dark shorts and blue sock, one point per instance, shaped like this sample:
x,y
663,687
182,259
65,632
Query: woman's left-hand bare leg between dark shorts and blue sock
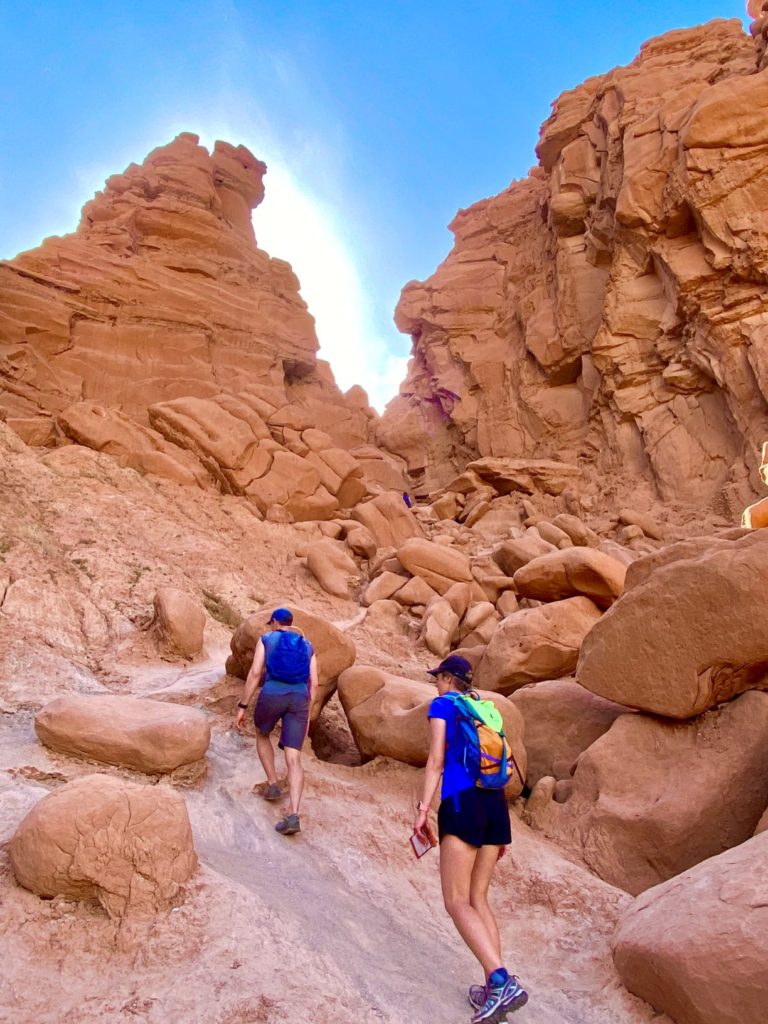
x,y
457,866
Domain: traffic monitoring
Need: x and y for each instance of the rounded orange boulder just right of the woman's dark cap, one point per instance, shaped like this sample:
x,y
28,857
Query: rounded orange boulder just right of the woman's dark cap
x,y
537,644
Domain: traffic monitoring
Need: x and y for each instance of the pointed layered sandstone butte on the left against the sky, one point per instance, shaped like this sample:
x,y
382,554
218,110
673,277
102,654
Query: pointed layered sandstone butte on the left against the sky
x,y
160,334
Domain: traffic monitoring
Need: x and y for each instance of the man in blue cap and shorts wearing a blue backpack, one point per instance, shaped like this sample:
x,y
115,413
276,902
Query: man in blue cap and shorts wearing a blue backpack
x,y
289,665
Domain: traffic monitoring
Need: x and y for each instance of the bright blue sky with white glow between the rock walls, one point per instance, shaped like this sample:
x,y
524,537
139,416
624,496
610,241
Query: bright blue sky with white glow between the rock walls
x,y
378,121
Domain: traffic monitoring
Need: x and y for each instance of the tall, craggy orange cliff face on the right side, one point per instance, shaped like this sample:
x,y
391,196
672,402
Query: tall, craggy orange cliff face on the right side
x,y
610,311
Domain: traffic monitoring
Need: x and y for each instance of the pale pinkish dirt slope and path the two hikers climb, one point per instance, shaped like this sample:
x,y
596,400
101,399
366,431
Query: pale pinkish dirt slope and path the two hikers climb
x,y
336,925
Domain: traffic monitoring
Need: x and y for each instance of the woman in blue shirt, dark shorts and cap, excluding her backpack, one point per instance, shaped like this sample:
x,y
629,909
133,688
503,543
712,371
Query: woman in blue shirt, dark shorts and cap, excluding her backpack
x,y
474,827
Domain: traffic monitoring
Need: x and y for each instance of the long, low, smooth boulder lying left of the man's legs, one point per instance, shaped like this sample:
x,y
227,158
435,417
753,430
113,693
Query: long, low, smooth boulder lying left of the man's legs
x,y
133,733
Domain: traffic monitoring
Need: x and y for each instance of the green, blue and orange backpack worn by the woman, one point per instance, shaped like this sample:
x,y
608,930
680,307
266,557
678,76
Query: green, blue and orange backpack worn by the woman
x,y
488,755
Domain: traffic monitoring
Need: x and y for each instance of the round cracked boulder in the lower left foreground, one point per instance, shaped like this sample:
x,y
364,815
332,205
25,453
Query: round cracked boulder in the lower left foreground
x,y
130,846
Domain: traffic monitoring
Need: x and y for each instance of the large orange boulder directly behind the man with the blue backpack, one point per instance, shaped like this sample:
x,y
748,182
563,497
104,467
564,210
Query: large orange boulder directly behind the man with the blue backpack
x,y
334,650
